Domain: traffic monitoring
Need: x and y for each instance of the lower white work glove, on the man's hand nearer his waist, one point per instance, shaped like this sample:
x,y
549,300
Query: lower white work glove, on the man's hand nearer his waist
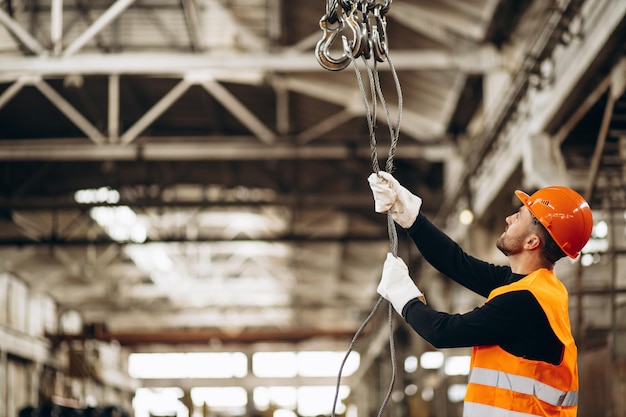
x,y
396,286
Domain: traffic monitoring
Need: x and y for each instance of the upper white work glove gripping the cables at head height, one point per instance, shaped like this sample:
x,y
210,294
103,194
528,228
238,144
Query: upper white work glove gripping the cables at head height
x,y
389,195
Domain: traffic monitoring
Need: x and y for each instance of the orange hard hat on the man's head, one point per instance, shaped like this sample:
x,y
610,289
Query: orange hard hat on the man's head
x,y
564,213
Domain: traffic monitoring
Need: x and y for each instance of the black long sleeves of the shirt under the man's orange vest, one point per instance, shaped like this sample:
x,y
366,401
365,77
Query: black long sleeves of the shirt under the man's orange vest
x,y
515,321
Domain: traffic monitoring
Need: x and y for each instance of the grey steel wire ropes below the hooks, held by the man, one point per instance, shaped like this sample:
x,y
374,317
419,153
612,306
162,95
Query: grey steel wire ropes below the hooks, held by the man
x,y
370,113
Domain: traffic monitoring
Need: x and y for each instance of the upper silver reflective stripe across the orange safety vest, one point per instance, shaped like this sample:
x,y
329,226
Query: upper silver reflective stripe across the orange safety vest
x,y
523,385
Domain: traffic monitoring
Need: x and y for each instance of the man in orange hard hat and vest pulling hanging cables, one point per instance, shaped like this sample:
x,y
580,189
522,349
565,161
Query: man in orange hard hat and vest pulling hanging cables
x,y
524,356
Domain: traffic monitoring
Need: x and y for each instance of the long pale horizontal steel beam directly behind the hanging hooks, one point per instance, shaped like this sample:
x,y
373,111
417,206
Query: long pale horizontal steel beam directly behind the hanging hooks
x,y
216,64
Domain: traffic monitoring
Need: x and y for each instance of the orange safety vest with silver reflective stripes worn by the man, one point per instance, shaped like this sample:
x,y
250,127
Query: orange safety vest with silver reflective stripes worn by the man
x,y
501,384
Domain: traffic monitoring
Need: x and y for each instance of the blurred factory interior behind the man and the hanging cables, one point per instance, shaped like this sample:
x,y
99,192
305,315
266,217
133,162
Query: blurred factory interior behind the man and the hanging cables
x,y
186,227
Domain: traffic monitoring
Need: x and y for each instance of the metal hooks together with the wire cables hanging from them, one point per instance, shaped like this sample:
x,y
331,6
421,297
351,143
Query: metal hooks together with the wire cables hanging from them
x,y
367,40
